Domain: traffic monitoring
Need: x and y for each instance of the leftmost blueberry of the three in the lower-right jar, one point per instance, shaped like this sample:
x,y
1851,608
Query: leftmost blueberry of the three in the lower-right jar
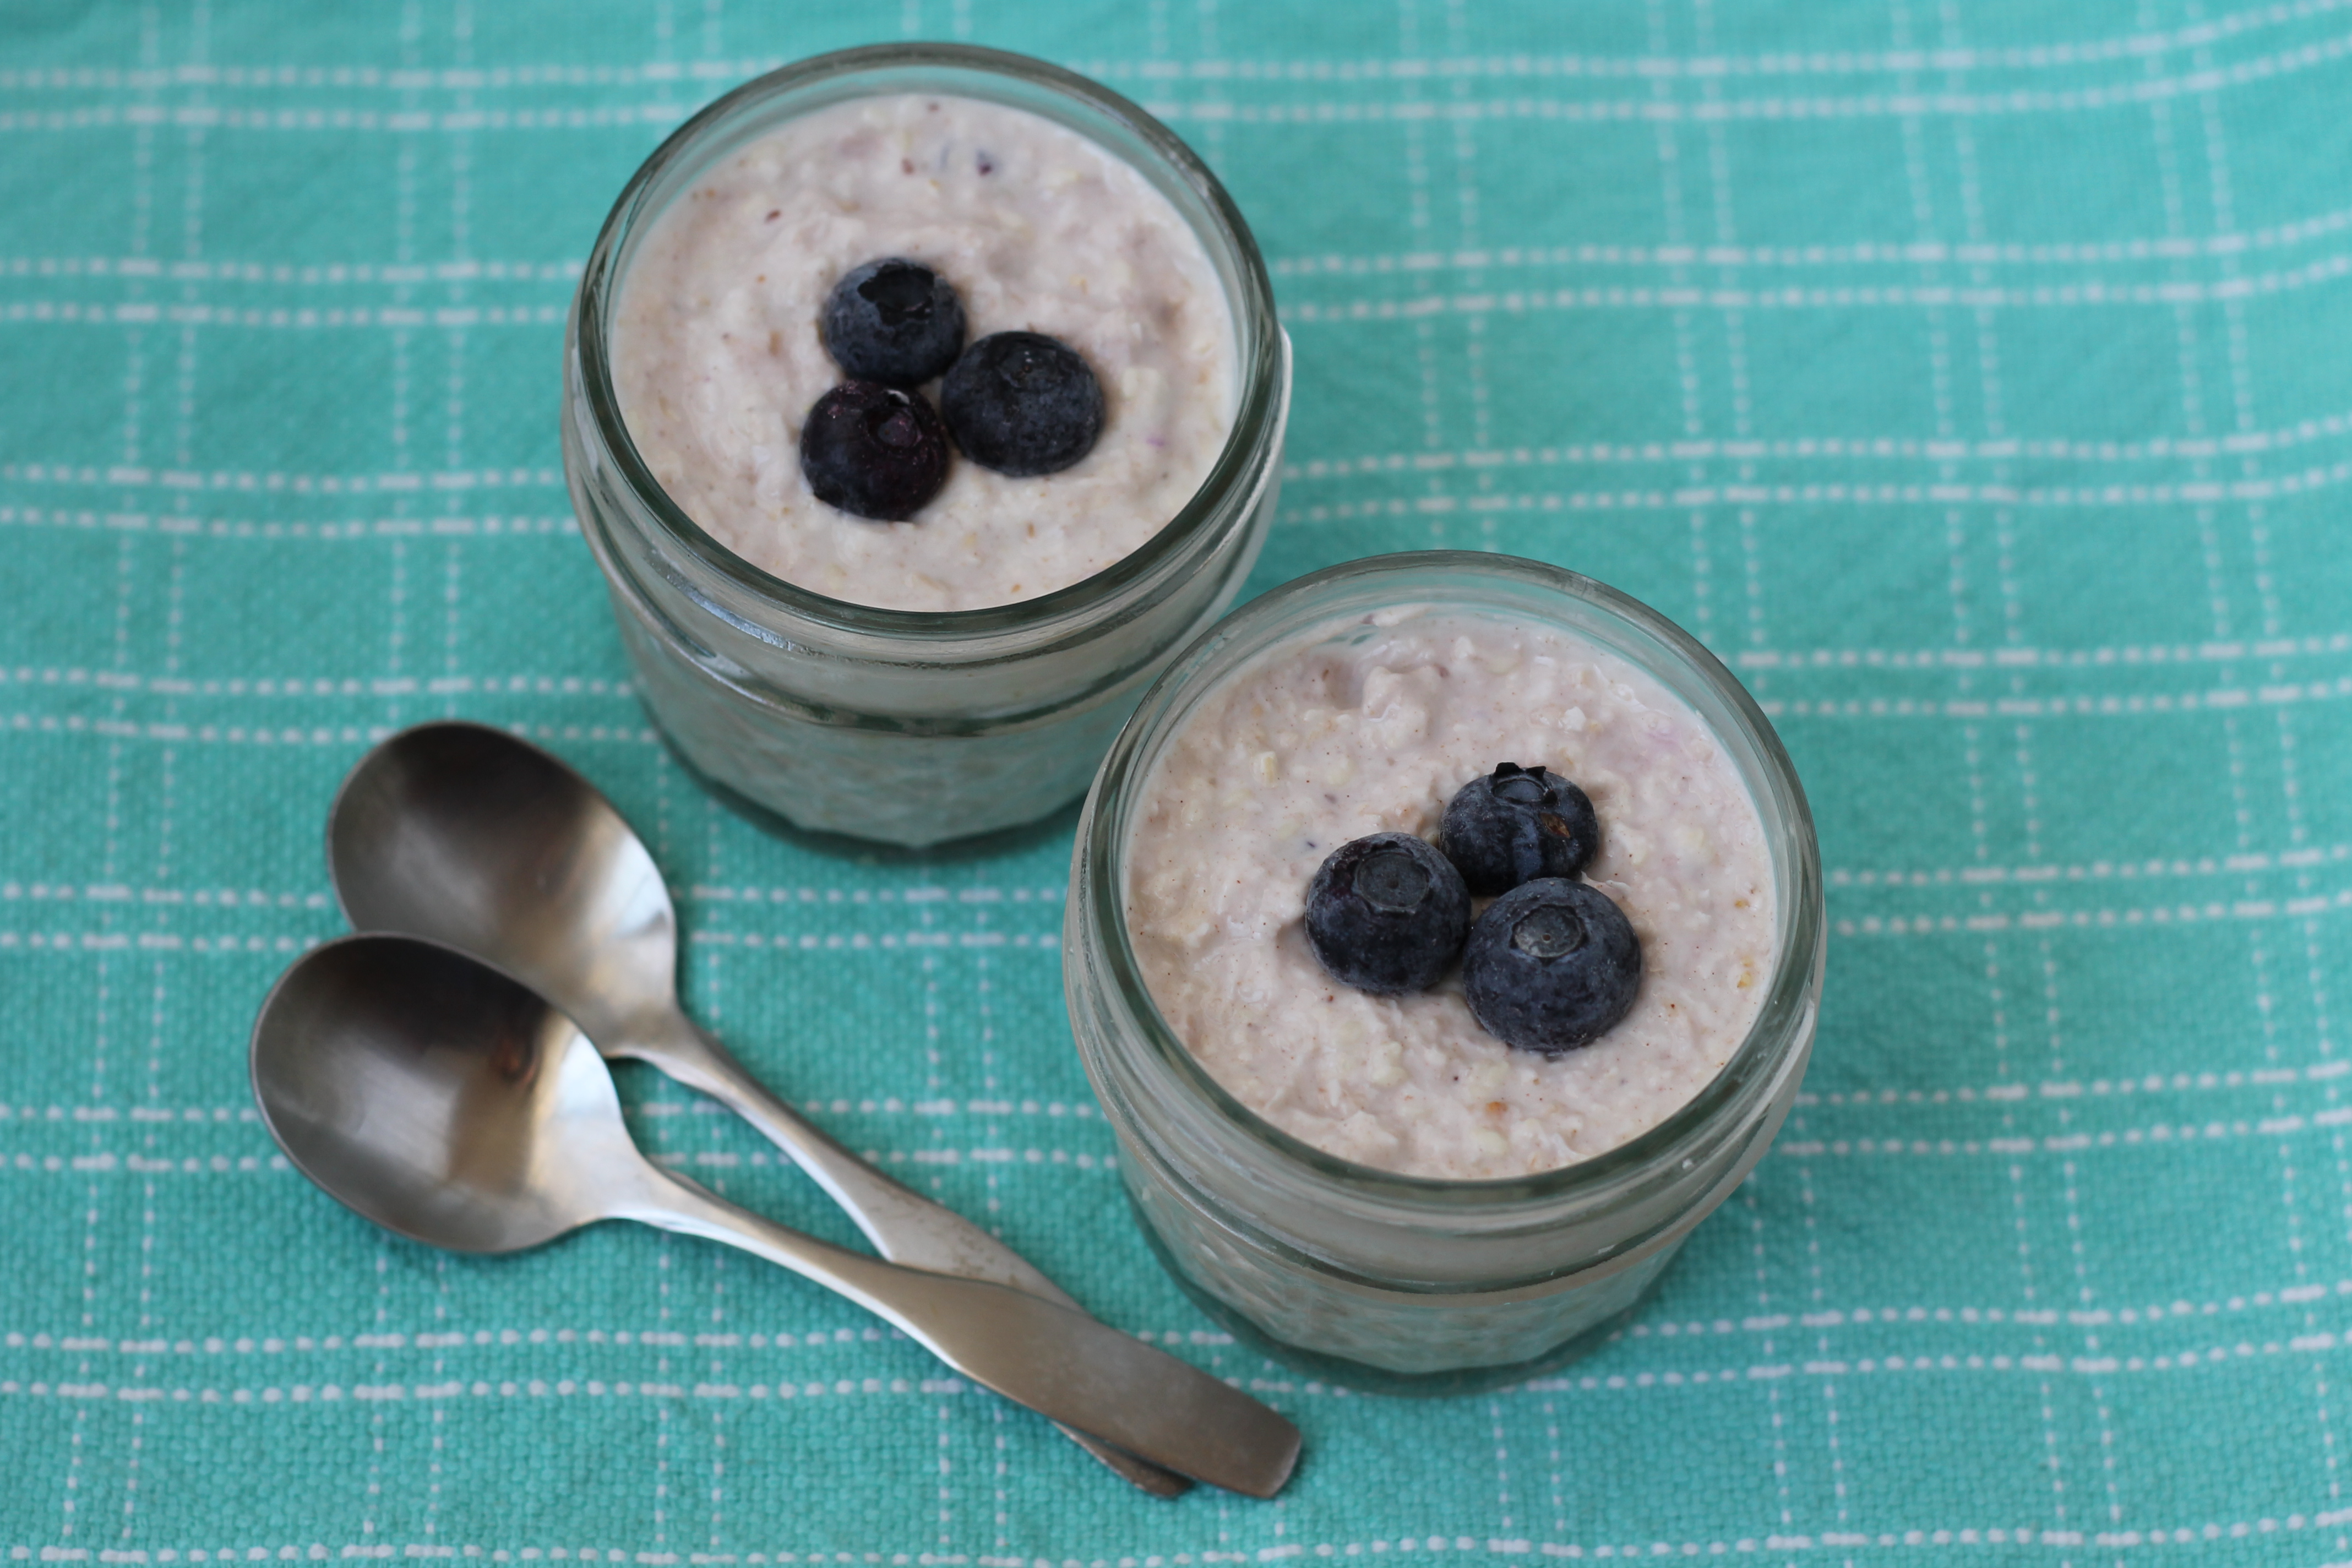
x,y
1387,913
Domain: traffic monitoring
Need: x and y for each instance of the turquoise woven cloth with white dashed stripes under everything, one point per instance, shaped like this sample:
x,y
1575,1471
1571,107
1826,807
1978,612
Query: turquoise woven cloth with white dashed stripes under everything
x,y
1972,375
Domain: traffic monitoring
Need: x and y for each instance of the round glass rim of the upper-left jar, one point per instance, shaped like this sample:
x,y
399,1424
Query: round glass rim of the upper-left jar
x,y
1255,422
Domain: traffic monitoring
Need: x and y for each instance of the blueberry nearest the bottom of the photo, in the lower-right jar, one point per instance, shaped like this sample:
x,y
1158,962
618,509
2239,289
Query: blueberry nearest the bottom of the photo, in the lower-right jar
x,y
1551,965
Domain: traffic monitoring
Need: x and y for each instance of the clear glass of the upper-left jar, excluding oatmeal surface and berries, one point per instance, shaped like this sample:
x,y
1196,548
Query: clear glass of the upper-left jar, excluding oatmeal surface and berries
x,y
909,725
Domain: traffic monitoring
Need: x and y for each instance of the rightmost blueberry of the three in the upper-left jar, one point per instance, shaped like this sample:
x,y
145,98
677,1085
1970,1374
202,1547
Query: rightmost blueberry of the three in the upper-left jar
x,y
1022,403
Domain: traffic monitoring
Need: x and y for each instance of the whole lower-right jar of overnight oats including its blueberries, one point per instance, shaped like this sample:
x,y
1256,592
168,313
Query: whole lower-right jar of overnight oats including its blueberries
x,y
1445,946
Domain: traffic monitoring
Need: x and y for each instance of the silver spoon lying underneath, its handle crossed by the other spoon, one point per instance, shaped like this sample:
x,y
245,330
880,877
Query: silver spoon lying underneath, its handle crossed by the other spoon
x,y
472,838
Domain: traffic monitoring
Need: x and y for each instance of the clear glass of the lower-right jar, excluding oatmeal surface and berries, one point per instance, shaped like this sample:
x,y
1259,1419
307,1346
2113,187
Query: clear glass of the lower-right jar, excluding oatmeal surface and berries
x,y
1398,1282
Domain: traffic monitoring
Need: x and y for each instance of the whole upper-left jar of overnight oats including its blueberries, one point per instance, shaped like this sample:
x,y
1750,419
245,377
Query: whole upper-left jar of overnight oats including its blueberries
x,y
923,401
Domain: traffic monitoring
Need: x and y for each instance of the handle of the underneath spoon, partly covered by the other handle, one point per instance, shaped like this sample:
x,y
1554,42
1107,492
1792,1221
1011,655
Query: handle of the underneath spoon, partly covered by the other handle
x,y
900,1221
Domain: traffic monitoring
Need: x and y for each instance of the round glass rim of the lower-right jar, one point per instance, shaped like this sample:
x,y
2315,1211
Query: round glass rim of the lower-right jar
x,y
1751,1068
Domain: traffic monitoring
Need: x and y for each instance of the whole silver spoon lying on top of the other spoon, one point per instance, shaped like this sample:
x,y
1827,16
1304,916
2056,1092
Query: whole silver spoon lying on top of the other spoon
x,y
455,1106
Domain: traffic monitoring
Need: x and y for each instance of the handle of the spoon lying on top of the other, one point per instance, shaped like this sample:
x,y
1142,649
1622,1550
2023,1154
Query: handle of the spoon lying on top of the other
x,y
1036,1353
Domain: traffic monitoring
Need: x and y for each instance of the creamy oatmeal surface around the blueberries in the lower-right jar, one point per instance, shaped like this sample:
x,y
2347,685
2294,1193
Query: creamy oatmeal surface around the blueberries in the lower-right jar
x,y
1370,728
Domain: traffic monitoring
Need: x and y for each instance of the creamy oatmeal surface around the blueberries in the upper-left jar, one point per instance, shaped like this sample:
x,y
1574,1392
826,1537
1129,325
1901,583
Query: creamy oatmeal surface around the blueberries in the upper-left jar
x,y
719,356
